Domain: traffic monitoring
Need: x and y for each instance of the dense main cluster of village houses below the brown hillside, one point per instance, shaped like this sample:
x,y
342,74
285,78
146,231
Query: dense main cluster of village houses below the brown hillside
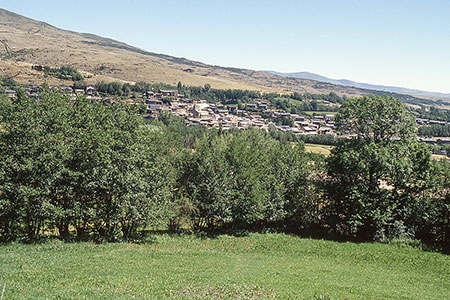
x,y
226,116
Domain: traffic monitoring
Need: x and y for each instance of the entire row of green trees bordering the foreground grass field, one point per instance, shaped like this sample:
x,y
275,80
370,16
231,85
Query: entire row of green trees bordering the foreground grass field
x,y
86,169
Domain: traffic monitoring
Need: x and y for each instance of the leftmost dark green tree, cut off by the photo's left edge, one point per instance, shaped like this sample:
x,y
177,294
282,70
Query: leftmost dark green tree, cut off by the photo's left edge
x,y
25,170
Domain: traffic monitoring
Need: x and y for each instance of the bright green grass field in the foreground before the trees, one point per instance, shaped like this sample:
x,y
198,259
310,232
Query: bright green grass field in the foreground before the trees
x,y
258,266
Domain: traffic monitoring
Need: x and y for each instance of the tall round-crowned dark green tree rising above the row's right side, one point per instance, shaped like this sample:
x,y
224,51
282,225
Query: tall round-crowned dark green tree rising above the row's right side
x,y
375,177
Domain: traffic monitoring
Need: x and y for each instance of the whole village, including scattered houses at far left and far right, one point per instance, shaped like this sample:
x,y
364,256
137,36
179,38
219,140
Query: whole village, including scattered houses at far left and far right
x,y
259,114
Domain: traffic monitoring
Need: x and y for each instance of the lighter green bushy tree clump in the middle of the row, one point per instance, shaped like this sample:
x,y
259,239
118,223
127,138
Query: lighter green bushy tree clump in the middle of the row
x,y
245,179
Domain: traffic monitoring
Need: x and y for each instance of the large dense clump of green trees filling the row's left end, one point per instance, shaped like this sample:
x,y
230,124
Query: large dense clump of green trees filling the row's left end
x,y
90,165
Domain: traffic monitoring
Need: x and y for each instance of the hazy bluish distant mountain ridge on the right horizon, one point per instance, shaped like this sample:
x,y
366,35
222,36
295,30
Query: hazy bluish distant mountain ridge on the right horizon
x,y
350,83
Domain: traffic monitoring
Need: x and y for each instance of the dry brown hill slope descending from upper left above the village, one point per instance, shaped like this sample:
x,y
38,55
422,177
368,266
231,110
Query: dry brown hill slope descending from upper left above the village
x,y
34,42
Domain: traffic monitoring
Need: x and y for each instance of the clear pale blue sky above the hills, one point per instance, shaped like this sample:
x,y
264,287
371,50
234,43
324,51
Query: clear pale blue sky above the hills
x,y
403,43
